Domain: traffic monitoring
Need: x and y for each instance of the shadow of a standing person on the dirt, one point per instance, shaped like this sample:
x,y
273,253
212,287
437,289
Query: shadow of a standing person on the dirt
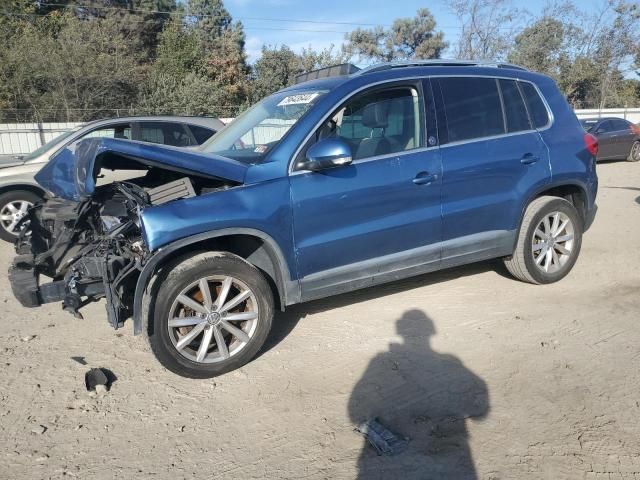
x,y
422,395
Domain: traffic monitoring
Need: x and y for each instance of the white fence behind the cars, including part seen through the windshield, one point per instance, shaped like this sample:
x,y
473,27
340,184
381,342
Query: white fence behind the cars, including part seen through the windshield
x,y
22,138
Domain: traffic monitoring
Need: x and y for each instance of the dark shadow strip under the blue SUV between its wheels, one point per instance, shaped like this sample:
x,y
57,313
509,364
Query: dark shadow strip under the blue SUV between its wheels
x,y
285,322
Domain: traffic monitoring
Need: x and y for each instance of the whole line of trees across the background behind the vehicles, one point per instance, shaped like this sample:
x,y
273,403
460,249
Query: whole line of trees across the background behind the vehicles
x,y
84,59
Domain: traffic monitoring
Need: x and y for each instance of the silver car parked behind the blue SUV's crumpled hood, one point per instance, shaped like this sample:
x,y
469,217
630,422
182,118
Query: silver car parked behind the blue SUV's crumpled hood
x,y
19,191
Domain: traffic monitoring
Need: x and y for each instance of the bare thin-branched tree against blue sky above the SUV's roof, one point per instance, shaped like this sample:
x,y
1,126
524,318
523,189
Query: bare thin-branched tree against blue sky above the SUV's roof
x,y
488,28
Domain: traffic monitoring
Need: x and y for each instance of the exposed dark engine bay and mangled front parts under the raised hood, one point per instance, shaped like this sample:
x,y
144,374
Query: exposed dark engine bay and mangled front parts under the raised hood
x,y
94,248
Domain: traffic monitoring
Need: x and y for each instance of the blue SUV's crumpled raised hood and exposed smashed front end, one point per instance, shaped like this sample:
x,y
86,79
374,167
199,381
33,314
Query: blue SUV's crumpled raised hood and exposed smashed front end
x,y
87,238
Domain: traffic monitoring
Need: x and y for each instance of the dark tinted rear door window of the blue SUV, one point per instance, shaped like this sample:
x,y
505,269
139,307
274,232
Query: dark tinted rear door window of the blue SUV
x,y
472,108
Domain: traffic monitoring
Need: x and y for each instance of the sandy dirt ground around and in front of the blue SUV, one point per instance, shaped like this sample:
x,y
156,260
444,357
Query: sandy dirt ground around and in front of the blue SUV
x,y
489,378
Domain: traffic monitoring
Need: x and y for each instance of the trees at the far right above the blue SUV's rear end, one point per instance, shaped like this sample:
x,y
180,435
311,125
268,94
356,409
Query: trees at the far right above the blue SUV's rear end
x,y
588,55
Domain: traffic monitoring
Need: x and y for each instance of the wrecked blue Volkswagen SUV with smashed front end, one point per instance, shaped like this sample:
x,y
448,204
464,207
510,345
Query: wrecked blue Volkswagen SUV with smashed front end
x,y
334,184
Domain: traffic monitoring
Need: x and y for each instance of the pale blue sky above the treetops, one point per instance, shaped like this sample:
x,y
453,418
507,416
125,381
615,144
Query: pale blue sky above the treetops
x,y
297,23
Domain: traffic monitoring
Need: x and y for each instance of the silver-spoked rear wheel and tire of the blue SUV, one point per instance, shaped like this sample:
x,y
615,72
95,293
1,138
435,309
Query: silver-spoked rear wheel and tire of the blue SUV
x,y
548,243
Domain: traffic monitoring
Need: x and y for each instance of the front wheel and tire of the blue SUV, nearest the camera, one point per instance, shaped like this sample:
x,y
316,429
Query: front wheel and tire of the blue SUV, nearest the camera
x,y
212,315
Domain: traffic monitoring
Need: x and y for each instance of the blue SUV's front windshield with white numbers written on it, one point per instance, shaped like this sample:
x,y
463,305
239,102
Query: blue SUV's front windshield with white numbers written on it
x,y
254,133
